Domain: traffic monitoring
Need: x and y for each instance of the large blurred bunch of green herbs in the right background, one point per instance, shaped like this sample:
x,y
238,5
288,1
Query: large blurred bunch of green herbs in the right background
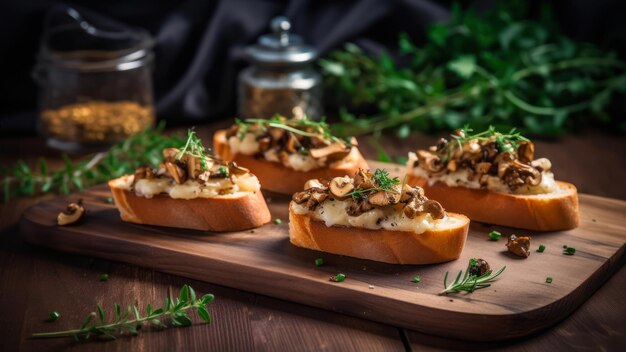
x,y
500,69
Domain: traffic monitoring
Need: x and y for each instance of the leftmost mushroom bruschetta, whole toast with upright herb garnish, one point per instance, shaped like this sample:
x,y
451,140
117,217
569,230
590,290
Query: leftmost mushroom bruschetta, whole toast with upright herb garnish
x,y
192,189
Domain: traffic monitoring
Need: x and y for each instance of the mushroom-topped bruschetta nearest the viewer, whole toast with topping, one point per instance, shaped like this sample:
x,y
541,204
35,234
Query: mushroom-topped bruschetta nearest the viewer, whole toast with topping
x,y
376,217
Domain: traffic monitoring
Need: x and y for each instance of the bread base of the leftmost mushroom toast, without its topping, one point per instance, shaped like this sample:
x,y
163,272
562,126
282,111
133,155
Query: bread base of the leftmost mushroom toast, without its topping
x,y
238,211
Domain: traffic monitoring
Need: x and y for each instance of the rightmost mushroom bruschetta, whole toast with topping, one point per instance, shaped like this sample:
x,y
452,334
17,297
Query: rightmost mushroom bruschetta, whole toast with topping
x,y
494,177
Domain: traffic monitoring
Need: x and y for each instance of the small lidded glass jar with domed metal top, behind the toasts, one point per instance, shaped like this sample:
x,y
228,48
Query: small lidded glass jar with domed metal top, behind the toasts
x,y
281,78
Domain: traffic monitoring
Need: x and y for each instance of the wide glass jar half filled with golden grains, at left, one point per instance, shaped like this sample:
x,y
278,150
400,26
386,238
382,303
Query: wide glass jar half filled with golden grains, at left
x,y
95,81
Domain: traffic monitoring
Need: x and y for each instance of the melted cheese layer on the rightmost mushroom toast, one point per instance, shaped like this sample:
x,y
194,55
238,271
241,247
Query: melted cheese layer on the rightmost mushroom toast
x,y
459,178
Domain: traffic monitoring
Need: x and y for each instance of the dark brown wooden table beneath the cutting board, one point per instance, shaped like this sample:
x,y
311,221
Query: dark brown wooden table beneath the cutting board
x,y
35,281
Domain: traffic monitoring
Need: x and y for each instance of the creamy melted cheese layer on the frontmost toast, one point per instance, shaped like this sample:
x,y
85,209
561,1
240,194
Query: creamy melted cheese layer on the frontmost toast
x,y
333,213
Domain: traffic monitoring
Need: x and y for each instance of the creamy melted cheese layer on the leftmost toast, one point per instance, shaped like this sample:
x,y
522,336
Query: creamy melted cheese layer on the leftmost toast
x,y
190,189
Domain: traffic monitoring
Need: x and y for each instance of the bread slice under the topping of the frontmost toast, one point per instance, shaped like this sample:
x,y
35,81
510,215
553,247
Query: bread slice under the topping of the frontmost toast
x,y
441,244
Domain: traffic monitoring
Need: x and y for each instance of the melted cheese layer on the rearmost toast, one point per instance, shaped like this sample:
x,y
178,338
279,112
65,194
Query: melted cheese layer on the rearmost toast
x,y
248,145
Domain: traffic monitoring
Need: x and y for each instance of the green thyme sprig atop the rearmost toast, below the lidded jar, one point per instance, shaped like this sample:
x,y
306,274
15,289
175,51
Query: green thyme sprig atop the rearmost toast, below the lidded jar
x,y
297,126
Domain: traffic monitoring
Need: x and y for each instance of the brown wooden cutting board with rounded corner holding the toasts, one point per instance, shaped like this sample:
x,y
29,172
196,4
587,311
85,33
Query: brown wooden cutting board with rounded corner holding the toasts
x,y
263,261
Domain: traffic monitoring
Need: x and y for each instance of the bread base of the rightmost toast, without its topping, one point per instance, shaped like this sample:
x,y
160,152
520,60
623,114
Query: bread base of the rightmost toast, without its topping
x,y
540,212
